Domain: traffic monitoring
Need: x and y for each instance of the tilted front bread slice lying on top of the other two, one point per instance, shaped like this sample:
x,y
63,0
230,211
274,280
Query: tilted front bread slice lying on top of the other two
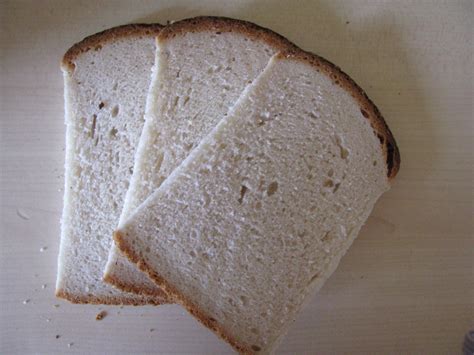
x,y
260,213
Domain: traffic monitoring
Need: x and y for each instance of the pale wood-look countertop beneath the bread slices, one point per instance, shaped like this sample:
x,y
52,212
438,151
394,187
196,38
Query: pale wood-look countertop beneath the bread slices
x,y
406,285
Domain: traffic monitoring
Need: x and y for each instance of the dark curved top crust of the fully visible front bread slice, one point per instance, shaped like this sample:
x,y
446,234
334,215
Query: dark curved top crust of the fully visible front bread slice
x,y
367,107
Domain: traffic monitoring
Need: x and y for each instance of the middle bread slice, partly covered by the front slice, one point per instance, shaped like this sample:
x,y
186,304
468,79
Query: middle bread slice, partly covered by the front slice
x,y
204,64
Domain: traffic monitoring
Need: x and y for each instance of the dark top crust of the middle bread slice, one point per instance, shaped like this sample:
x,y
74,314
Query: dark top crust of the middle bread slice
x,y
224,24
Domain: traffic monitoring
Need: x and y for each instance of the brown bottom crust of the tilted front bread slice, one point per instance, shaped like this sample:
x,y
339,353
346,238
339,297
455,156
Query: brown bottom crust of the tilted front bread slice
x,y
177,296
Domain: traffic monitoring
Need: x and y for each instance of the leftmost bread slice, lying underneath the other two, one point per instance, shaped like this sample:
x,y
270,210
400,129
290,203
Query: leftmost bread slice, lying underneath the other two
x,y
106,79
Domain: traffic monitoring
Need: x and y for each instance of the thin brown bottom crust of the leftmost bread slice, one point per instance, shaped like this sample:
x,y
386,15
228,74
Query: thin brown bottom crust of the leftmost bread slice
x,y
109,300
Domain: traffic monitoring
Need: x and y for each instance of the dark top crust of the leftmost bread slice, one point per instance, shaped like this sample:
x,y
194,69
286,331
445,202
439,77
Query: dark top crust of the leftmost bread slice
x,y
97,40
